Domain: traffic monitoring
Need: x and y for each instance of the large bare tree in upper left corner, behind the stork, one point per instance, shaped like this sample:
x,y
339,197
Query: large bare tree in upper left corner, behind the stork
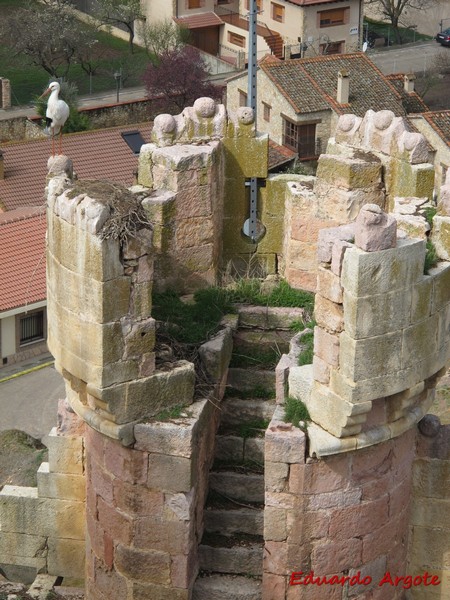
x,y
47,33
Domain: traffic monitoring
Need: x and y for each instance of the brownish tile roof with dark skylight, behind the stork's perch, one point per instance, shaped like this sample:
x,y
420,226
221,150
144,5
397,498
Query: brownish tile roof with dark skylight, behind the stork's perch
x,y
99,154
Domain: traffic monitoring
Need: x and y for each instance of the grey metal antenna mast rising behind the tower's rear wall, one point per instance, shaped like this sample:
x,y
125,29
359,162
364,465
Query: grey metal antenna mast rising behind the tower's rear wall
x,y
252,228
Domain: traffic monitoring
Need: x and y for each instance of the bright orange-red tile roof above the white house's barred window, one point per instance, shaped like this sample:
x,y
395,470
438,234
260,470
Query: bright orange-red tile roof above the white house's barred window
x,y
22,264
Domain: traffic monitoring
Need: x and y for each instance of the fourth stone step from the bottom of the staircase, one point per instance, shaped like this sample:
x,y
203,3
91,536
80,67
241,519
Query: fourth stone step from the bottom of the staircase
x,y
244,487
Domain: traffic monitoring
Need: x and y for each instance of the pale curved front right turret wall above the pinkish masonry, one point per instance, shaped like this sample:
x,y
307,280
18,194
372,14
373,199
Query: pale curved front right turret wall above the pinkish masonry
x,y
380,343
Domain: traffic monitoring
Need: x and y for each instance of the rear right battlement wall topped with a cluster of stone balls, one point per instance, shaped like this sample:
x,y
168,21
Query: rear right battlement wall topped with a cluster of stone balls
x,y
375,160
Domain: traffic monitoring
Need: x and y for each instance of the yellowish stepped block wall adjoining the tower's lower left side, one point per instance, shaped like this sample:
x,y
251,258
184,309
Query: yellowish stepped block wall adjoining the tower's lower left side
x,y
42,529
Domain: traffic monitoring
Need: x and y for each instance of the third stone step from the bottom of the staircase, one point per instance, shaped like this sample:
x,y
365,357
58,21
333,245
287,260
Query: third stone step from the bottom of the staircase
x,y
231,522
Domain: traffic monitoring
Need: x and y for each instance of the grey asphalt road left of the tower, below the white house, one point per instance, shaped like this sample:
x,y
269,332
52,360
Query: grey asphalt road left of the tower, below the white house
x,y
29,402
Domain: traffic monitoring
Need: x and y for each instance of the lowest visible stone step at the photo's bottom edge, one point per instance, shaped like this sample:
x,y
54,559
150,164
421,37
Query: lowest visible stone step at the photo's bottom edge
x,y
226,587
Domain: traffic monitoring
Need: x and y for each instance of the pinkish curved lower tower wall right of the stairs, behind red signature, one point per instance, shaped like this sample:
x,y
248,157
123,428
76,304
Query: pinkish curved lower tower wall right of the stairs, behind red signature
x,y
344,515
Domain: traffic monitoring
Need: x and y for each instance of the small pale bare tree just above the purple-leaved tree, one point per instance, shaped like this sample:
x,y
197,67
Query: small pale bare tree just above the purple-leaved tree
x,y
162,37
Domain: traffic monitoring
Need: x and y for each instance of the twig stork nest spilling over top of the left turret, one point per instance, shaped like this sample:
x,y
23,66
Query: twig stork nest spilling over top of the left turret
x,y
127,215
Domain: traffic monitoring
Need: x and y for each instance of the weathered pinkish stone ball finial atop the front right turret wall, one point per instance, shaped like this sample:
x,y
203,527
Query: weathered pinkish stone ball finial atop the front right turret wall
x,y
374,229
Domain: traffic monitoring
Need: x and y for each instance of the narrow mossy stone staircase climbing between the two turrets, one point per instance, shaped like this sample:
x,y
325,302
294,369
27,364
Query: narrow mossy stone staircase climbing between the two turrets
x,y
231,551
